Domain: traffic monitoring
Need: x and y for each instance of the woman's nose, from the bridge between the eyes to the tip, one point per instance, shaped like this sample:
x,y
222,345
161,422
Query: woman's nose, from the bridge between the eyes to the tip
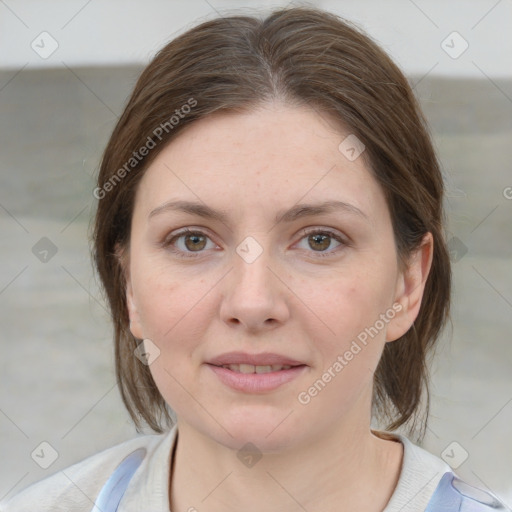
x,y
254,296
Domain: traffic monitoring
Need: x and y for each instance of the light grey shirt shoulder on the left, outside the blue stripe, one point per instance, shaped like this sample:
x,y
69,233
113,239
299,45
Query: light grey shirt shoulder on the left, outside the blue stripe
x,y
75,488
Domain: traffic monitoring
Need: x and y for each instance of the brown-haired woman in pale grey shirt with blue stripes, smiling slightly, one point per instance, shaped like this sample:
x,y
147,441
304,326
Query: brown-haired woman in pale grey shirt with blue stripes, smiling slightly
x,y
269,235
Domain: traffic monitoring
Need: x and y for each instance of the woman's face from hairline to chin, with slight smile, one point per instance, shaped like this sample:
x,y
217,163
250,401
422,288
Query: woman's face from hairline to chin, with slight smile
x,y
238,273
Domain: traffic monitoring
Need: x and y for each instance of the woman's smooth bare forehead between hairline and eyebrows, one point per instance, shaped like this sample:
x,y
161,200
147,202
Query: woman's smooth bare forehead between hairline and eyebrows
x,y
269,158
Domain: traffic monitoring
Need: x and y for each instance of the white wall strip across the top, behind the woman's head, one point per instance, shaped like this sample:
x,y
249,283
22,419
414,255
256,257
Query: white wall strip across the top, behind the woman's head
x,y
106,32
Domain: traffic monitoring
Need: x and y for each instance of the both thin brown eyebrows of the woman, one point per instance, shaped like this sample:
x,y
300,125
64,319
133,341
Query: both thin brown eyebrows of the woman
x,y
296,212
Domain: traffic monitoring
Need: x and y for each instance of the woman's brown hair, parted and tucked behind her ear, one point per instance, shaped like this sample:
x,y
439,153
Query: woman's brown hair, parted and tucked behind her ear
x,y
302,56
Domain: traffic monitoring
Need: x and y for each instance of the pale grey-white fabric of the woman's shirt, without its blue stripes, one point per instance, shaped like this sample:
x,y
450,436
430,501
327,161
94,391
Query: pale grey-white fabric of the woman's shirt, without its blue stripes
x,y
75,488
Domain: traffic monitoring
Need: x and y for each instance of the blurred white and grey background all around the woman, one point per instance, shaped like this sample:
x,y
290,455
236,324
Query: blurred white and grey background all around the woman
x,y
66,69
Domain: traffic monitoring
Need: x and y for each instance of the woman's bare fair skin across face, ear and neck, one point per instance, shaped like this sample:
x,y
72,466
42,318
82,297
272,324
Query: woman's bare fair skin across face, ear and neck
x,y
291,300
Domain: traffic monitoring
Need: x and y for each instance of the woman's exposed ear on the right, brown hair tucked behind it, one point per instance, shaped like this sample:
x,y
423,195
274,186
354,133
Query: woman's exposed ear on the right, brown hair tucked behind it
x,y
410,287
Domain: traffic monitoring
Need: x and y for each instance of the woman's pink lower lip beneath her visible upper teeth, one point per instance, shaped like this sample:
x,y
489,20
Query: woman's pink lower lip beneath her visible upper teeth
x,y
256,382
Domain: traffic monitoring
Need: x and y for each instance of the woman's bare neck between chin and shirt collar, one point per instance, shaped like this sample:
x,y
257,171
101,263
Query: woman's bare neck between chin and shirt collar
x,y
346,468
